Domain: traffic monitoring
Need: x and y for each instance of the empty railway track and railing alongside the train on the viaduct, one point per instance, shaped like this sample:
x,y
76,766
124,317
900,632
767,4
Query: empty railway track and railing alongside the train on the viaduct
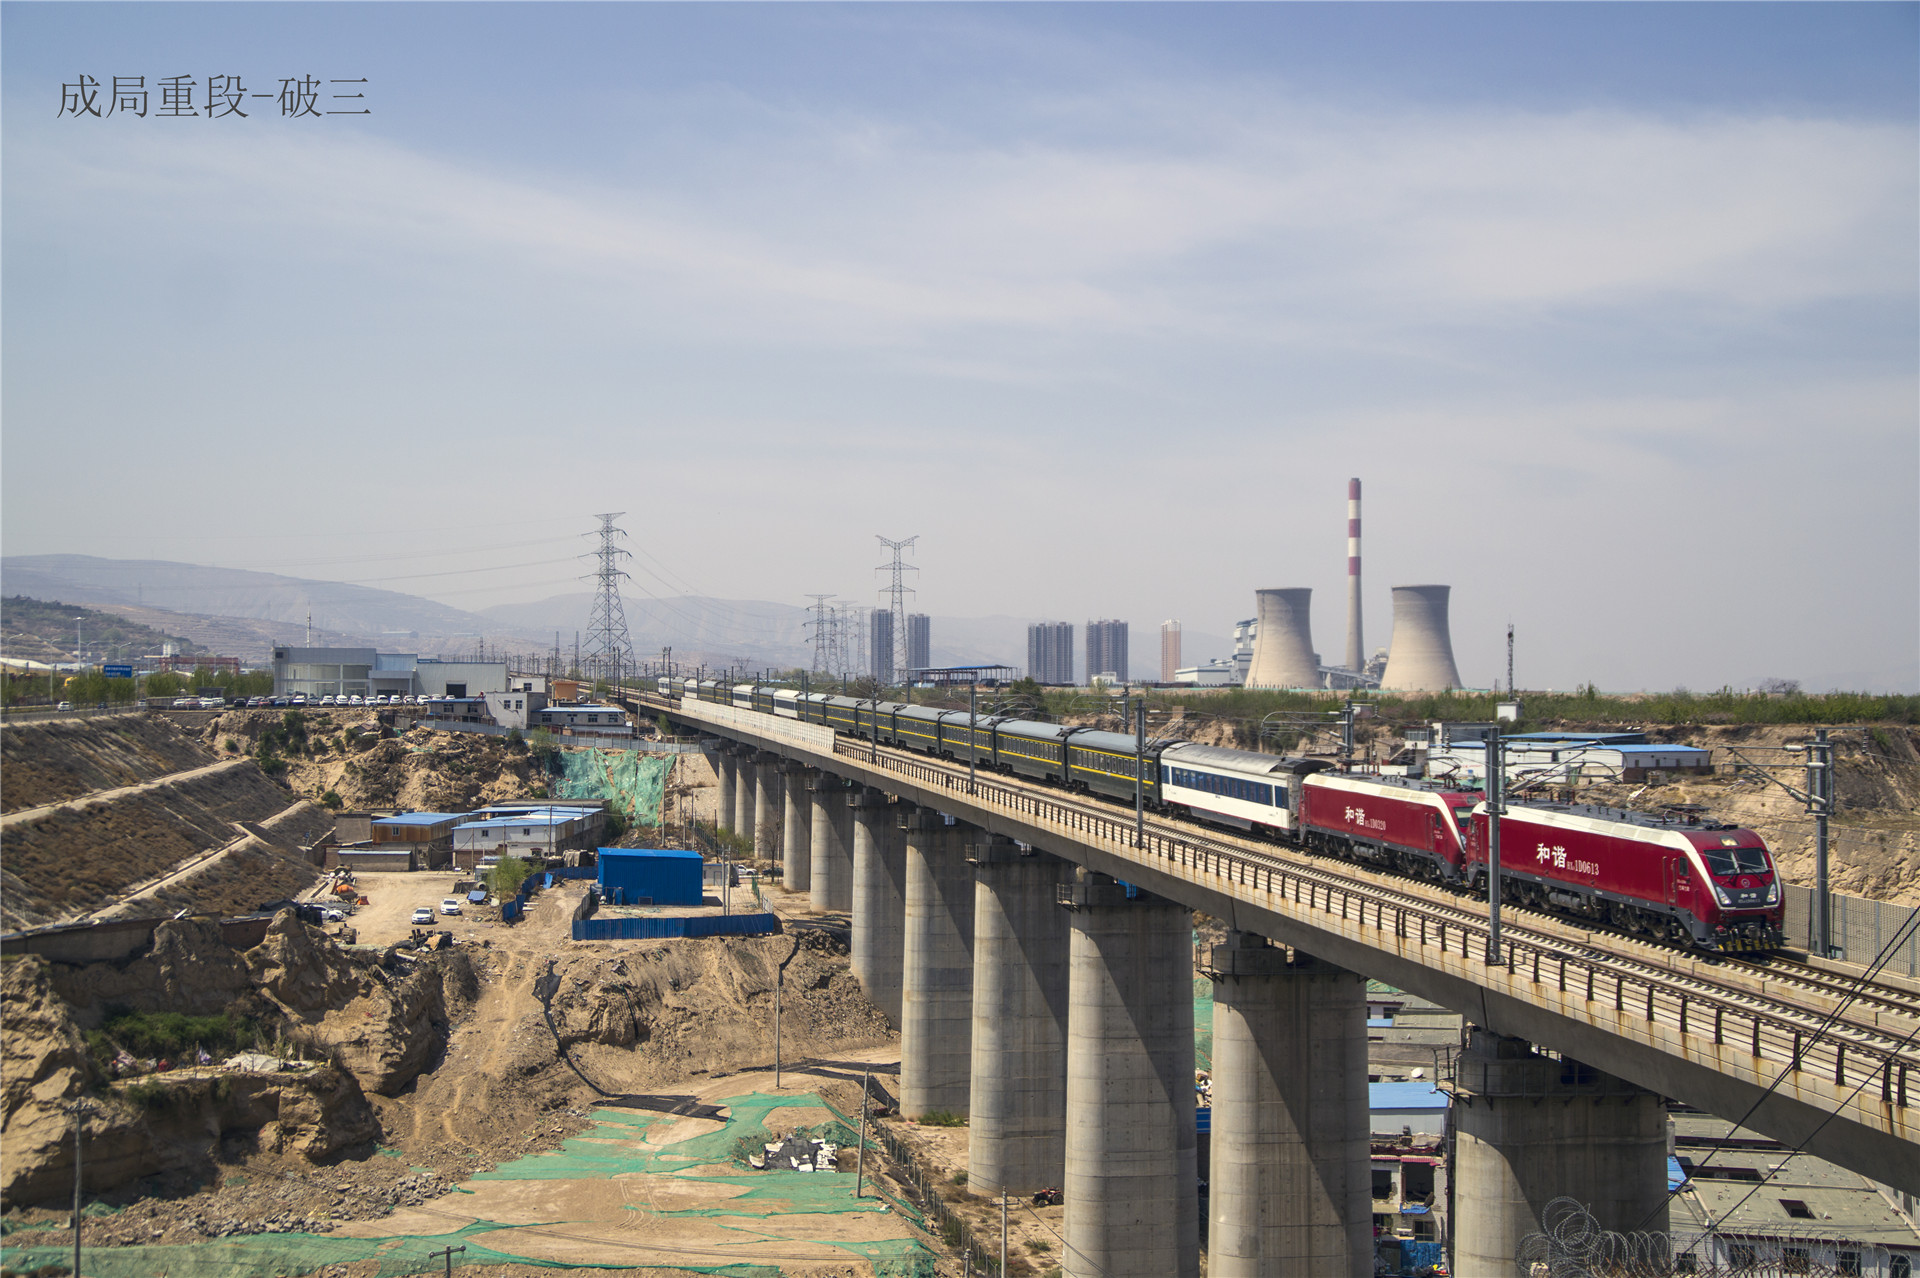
x,y
1796,1026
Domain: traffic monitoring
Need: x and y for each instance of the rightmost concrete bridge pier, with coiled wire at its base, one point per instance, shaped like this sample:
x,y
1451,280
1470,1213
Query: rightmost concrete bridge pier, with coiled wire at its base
x,y
1531,1129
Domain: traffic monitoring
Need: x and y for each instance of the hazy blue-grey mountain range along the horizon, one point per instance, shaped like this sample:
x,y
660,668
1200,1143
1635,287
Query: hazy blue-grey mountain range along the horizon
x,y
247,613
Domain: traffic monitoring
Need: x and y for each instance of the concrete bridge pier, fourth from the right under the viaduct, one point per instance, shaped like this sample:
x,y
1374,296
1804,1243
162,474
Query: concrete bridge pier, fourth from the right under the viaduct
x,y
1017,1139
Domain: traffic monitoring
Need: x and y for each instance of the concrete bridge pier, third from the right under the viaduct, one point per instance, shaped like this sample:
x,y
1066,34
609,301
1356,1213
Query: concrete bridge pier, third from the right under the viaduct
x,y
1130,1185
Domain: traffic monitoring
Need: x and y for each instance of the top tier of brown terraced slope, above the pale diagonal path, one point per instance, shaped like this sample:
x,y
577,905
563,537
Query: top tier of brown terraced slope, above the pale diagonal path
x,y
57,761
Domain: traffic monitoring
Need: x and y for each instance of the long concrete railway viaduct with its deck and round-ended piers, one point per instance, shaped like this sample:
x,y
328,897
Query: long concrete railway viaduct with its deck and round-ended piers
x,y
1034,949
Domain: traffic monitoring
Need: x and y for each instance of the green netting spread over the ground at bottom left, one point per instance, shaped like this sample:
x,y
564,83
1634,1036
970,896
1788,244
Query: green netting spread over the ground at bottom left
x,y
619,1143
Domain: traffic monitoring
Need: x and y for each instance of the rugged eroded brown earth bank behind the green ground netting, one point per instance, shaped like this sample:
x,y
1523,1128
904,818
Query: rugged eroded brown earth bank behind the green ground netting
x,y
452,1064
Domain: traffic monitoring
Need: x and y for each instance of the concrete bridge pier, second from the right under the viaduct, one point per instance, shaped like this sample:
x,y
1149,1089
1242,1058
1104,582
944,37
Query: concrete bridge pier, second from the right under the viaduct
x,y
1291,1171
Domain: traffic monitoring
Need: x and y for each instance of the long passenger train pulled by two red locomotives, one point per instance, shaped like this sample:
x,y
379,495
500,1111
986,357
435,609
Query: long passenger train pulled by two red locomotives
x,y
1675,876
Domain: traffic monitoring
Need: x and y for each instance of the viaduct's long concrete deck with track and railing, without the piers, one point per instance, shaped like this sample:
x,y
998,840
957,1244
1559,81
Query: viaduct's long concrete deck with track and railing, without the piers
x,y
1812,1056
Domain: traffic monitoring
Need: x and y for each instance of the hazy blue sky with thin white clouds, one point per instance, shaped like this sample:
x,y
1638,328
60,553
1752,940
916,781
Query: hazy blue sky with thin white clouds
x,y
1612,308
